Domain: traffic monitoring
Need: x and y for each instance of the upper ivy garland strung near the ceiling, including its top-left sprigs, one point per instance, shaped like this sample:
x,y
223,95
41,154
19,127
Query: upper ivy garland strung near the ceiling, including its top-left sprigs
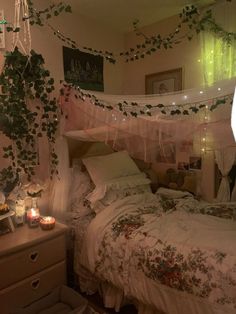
x,y
190,19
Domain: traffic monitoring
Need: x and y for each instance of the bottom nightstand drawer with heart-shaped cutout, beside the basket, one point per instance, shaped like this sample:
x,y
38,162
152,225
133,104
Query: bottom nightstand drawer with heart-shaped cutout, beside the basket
x,y
32,288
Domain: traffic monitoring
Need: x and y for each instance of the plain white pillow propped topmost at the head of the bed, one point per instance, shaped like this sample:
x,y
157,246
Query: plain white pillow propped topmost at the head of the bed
x,y
108,167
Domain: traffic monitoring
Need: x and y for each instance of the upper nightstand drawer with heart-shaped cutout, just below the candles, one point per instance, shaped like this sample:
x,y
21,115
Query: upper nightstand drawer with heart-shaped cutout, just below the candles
x,y
31,260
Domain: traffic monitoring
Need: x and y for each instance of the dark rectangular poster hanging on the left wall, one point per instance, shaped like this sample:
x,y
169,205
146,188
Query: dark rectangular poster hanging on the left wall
x,y
83,69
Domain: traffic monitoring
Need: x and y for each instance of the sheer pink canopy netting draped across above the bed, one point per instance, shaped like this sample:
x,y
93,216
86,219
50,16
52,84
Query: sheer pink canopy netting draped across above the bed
x,y
143,136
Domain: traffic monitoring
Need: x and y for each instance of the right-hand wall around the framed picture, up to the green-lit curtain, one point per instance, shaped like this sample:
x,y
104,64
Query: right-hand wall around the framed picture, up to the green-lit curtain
x,y
184,55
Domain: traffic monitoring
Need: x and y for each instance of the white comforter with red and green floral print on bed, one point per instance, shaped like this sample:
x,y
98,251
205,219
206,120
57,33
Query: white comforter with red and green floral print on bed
x,y
165,243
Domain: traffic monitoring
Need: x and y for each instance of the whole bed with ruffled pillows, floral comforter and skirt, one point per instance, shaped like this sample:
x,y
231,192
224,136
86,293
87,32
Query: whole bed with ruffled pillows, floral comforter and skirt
x,y
165,251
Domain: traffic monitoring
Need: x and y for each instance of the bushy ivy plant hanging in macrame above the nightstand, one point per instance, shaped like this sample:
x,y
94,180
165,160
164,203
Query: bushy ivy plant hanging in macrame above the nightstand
x,y
28,111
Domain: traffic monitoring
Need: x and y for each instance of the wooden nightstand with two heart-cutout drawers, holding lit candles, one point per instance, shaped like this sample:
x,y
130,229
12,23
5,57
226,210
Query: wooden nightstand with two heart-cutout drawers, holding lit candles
x,y
32,264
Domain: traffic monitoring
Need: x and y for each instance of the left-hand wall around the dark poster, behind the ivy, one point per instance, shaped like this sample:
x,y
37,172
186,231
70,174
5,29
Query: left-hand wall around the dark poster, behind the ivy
x,y
84,31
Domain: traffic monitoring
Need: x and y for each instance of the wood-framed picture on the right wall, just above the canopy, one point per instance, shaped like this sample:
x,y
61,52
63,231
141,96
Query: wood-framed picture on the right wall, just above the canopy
x,y
164,82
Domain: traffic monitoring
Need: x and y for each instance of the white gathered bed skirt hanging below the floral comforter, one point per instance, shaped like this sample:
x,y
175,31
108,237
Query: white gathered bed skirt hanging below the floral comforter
x,y
161,297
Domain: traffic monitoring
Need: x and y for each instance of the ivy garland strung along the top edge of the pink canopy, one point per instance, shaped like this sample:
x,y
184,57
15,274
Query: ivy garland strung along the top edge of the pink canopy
x,y
134,109
